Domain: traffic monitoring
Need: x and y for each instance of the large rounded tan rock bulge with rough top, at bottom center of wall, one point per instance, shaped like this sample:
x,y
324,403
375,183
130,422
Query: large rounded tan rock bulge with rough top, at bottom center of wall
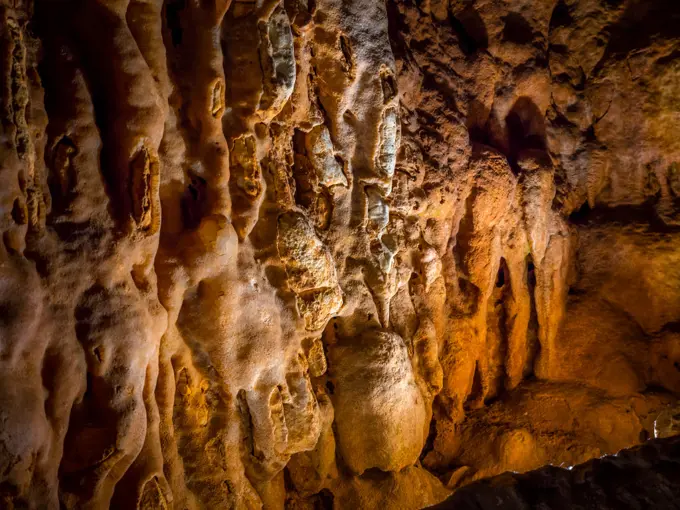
x,y
380,414
